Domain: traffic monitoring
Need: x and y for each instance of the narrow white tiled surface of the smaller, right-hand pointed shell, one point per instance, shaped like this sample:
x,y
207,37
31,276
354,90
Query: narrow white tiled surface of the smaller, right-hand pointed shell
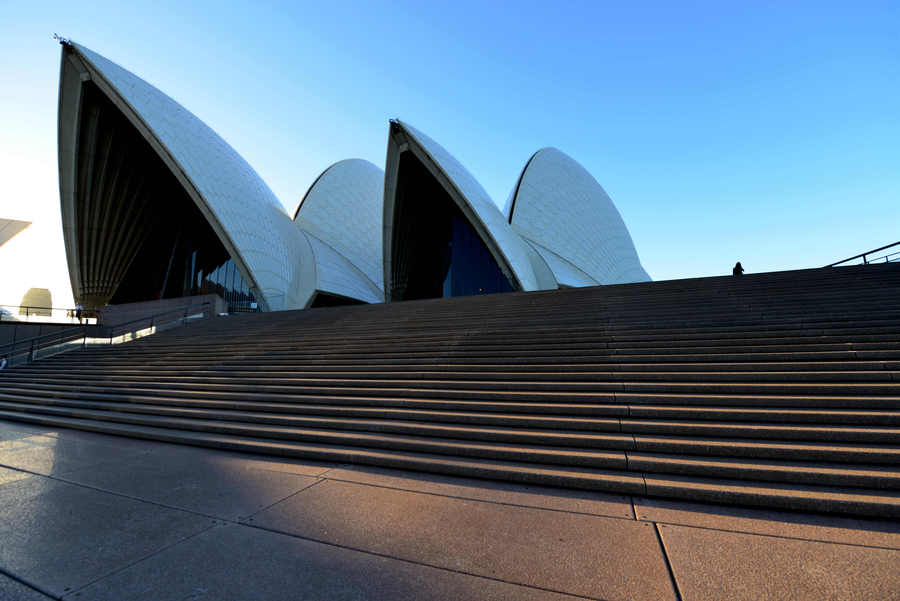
x,y
510,244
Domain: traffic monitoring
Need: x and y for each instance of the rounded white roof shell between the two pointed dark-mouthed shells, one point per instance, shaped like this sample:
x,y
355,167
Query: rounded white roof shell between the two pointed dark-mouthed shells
x,y
343,209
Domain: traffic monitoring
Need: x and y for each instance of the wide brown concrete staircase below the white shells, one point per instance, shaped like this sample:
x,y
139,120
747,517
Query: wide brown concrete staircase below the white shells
x,y
778,389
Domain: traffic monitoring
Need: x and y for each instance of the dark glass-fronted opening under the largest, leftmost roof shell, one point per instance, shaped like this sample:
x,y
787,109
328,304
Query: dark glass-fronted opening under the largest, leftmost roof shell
x,y
140,235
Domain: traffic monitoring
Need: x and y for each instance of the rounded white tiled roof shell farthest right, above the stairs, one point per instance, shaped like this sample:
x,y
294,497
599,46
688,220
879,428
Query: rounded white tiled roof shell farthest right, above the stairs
x,y
574,224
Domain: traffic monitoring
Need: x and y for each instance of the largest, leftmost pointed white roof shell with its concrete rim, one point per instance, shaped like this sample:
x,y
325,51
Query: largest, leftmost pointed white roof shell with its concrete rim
x,y
246,216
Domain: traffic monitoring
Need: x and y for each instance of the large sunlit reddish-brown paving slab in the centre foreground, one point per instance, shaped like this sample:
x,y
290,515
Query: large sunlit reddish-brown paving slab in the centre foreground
x,y
599,557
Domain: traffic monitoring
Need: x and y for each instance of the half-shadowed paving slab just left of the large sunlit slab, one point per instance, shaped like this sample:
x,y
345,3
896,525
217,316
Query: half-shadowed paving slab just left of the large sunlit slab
x,y
217,485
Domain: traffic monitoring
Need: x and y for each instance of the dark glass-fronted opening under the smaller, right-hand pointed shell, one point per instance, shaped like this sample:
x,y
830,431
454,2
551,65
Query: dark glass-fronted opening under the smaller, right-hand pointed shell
x,y
435,251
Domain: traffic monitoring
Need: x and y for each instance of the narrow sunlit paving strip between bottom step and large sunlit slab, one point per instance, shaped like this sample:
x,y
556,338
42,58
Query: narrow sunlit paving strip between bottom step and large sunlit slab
x,y
496,492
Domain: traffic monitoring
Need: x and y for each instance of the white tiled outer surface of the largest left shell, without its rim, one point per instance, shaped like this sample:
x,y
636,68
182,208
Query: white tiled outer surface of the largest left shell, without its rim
x,y
253,218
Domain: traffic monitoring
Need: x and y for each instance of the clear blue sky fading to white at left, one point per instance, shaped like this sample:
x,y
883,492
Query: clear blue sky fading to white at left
x,y
762,132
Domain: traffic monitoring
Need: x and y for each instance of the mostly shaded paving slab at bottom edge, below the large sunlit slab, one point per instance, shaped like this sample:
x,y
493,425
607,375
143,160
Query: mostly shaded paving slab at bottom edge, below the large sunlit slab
x,y
237,563
